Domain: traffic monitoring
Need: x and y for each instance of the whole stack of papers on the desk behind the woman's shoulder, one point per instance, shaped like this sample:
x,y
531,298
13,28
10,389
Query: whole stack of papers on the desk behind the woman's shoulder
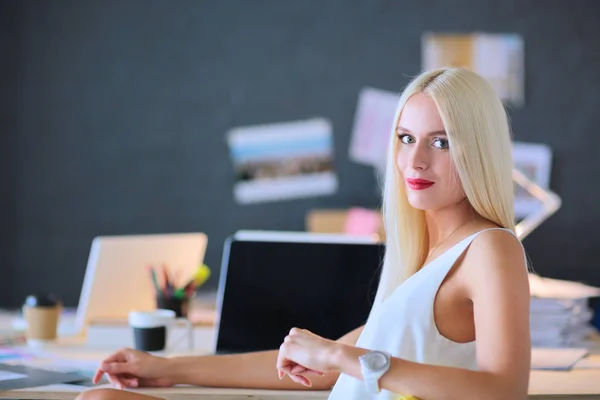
x,y
560,314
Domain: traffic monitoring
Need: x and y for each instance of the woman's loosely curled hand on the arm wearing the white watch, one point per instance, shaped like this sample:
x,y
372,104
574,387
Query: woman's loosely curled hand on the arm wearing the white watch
x,y
305,354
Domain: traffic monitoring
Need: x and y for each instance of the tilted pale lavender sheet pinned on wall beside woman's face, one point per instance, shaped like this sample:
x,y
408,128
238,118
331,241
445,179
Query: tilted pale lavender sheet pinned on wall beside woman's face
x,y
373,123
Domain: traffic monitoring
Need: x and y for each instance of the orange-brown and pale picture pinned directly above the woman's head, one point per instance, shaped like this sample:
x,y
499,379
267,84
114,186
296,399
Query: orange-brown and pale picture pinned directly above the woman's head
x,y
497,57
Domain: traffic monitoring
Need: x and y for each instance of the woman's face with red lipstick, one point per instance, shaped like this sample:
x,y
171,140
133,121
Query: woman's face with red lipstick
x,y
423,156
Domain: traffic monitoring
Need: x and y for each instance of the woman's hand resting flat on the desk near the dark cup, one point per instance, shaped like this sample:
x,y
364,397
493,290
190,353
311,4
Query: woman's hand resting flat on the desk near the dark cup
x,y
128,368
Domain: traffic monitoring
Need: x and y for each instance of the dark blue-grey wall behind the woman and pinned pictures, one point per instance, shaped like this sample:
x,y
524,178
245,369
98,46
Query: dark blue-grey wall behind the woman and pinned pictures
x,y
123,106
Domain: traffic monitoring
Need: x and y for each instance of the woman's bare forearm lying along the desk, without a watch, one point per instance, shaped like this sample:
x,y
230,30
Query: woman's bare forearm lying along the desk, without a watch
x,y
248,370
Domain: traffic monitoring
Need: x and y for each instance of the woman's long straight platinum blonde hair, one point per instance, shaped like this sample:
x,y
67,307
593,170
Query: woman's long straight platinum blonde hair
x,y
478,132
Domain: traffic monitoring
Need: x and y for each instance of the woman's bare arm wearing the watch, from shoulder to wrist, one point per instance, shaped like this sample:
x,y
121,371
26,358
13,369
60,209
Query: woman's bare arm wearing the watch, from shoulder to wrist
x,y
500,293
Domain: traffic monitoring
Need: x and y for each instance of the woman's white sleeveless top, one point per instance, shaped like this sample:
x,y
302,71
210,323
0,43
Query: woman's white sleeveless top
x,y
404,326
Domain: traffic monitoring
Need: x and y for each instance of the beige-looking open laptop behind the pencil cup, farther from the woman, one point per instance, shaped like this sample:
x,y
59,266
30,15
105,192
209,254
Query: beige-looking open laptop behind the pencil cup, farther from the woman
x,y
117,279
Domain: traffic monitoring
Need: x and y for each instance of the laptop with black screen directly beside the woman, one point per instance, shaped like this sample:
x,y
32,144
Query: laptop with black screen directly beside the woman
x,y
271,282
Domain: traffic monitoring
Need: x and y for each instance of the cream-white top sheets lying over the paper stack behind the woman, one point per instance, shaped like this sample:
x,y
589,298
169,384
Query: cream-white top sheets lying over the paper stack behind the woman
x,y
560,289
